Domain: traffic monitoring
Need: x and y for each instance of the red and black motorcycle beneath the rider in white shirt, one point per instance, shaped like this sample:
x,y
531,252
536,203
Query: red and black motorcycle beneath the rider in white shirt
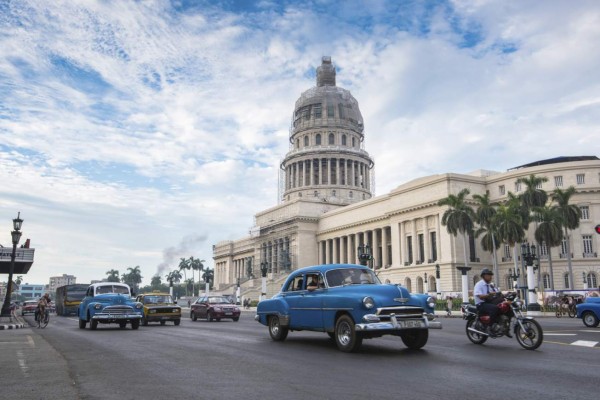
x,y
510,320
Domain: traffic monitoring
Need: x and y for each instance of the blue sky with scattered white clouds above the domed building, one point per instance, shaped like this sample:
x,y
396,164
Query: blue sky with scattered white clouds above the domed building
x,y
134,133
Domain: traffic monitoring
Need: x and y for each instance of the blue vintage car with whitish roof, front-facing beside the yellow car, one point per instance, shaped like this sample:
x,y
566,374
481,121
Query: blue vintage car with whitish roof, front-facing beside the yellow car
x,y
109,302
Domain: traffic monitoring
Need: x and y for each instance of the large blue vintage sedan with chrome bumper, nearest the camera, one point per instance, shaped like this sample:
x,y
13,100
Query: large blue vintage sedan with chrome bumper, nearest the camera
x,y
350,304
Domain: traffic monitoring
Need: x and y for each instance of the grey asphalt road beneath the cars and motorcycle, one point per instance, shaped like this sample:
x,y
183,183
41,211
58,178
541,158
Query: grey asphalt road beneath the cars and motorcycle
x,y
238,360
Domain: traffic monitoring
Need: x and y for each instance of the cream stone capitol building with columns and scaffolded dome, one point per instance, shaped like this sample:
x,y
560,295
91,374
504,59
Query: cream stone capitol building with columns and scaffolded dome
x,y
327,211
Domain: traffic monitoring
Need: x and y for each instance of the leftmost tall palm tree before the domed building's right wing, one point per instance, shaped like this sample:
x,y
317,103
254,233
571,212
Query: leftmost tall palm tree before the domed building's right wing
x,y
458,218
